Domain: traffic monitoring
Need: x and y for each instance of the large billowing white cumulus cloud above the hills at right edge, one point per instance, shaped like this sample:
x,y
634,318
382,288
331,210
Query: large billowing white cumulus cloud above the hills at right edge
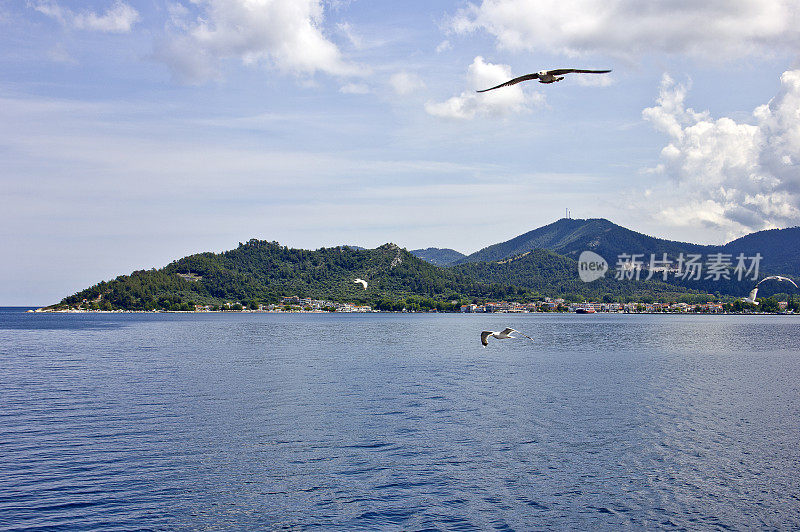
x,y
733,175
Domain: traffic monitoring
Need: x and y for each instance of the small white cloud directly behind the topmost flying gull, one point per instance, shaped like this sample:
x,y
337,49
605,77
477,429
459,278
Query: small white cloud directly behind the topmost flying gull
x,y
470,104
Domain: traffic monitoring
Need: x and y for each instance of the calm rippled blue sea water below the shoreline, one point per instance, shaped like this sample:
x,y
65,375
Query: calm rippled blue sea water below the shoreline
x,y
398,422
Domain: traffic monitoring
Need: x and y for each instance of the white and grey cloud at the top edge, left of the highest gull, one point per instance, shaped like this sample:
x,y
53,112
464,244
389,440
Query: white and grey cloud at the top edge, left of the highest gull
x,y
285,34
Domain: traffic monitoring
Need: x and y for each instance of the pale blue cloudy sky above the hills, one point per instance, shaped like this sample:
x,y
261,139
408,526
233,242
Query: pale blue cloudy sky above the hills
x,y
133,133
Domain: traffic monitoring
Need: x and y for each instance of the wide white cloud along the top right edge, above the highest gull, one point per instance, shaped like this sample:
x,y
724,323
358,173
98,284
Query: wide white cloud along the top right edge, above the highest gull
x,y
630,27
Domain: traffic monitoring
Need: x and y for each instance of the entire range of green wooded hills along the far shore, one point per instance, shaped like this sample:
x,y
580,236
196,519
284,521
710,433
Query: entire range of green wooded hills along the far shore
x,y
533,265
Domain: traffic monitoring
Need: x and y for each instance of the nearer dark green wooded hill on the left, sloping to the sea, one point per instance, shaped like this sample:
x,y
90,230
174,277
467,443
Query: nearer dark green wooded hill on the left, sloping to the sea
x,y
266,271
